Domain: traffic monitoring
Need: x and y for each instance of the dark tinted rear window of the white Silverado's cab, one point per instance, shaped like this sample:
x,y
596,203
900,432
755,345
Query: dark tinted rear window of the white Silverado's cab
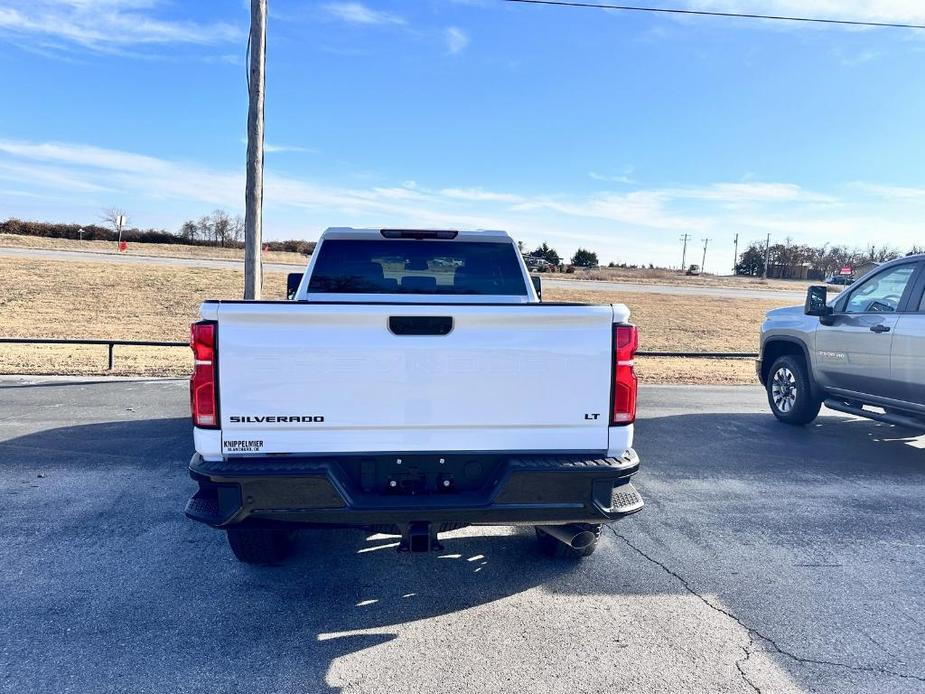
x,y
416,267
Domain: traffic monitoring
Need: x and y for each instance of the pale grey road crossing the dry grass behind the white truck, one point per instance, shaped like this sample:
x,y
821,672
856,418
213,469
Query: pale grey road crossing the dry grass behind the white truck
x,y
796,297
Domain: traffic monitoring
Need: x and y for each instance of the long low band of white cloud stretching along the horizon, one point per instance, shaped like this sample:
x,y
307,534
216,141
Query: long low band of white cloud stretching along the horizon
x,y
639,226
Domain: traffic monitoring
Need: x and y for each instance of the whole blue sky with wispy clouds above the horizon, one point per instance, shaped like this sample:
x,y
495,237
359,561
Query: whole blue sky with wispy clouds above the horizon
x,y
613,131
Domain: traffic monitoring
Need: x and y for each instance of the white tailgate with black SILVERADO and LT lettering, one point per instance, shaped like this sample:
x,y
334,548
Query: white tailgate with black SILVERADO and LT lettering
x,y
334,378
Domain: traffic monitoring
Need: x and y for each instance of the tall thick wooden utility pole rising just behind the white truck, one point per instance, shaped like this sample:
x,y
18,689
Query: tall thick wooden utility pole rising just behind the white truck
x,y
253,188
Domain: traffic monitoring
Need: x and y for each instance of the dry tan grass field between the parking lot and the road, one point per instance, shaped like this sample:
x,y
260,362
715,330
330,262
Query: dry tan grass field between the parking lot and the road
x,y
41,298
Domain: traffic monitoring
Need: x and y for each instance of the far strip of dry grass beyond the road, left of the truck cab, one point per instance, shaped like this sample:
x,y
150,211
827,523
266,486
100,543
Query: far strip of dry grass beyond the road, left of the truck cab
x,y
165,250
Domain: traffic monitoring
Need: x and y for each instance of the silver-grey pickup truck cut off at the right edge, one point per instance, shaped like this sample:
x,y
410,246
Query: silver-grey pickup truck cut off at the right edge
x,y
862,353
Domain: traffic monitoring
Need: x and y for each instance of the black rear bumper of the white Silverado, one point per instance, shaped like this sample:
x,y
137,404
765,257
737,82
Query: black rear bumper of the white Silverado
x,y
527,490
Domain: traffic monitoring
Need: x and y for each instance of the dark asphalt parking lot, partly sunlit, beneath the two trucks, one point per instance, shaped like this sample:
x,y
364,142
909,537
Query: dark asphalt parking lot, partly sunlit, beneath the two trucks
x,y
767,559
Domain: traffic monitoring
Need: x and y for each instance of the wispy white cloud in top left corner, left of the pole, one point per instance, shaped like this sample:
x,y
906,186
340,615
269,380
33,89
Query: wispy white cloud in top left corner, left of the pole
x,y
104,25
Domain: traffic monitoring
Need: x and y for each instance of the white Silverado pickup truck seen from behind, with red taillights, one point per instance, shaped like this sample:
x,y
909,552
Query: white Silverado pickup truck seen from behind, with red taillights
x,y
413,384
